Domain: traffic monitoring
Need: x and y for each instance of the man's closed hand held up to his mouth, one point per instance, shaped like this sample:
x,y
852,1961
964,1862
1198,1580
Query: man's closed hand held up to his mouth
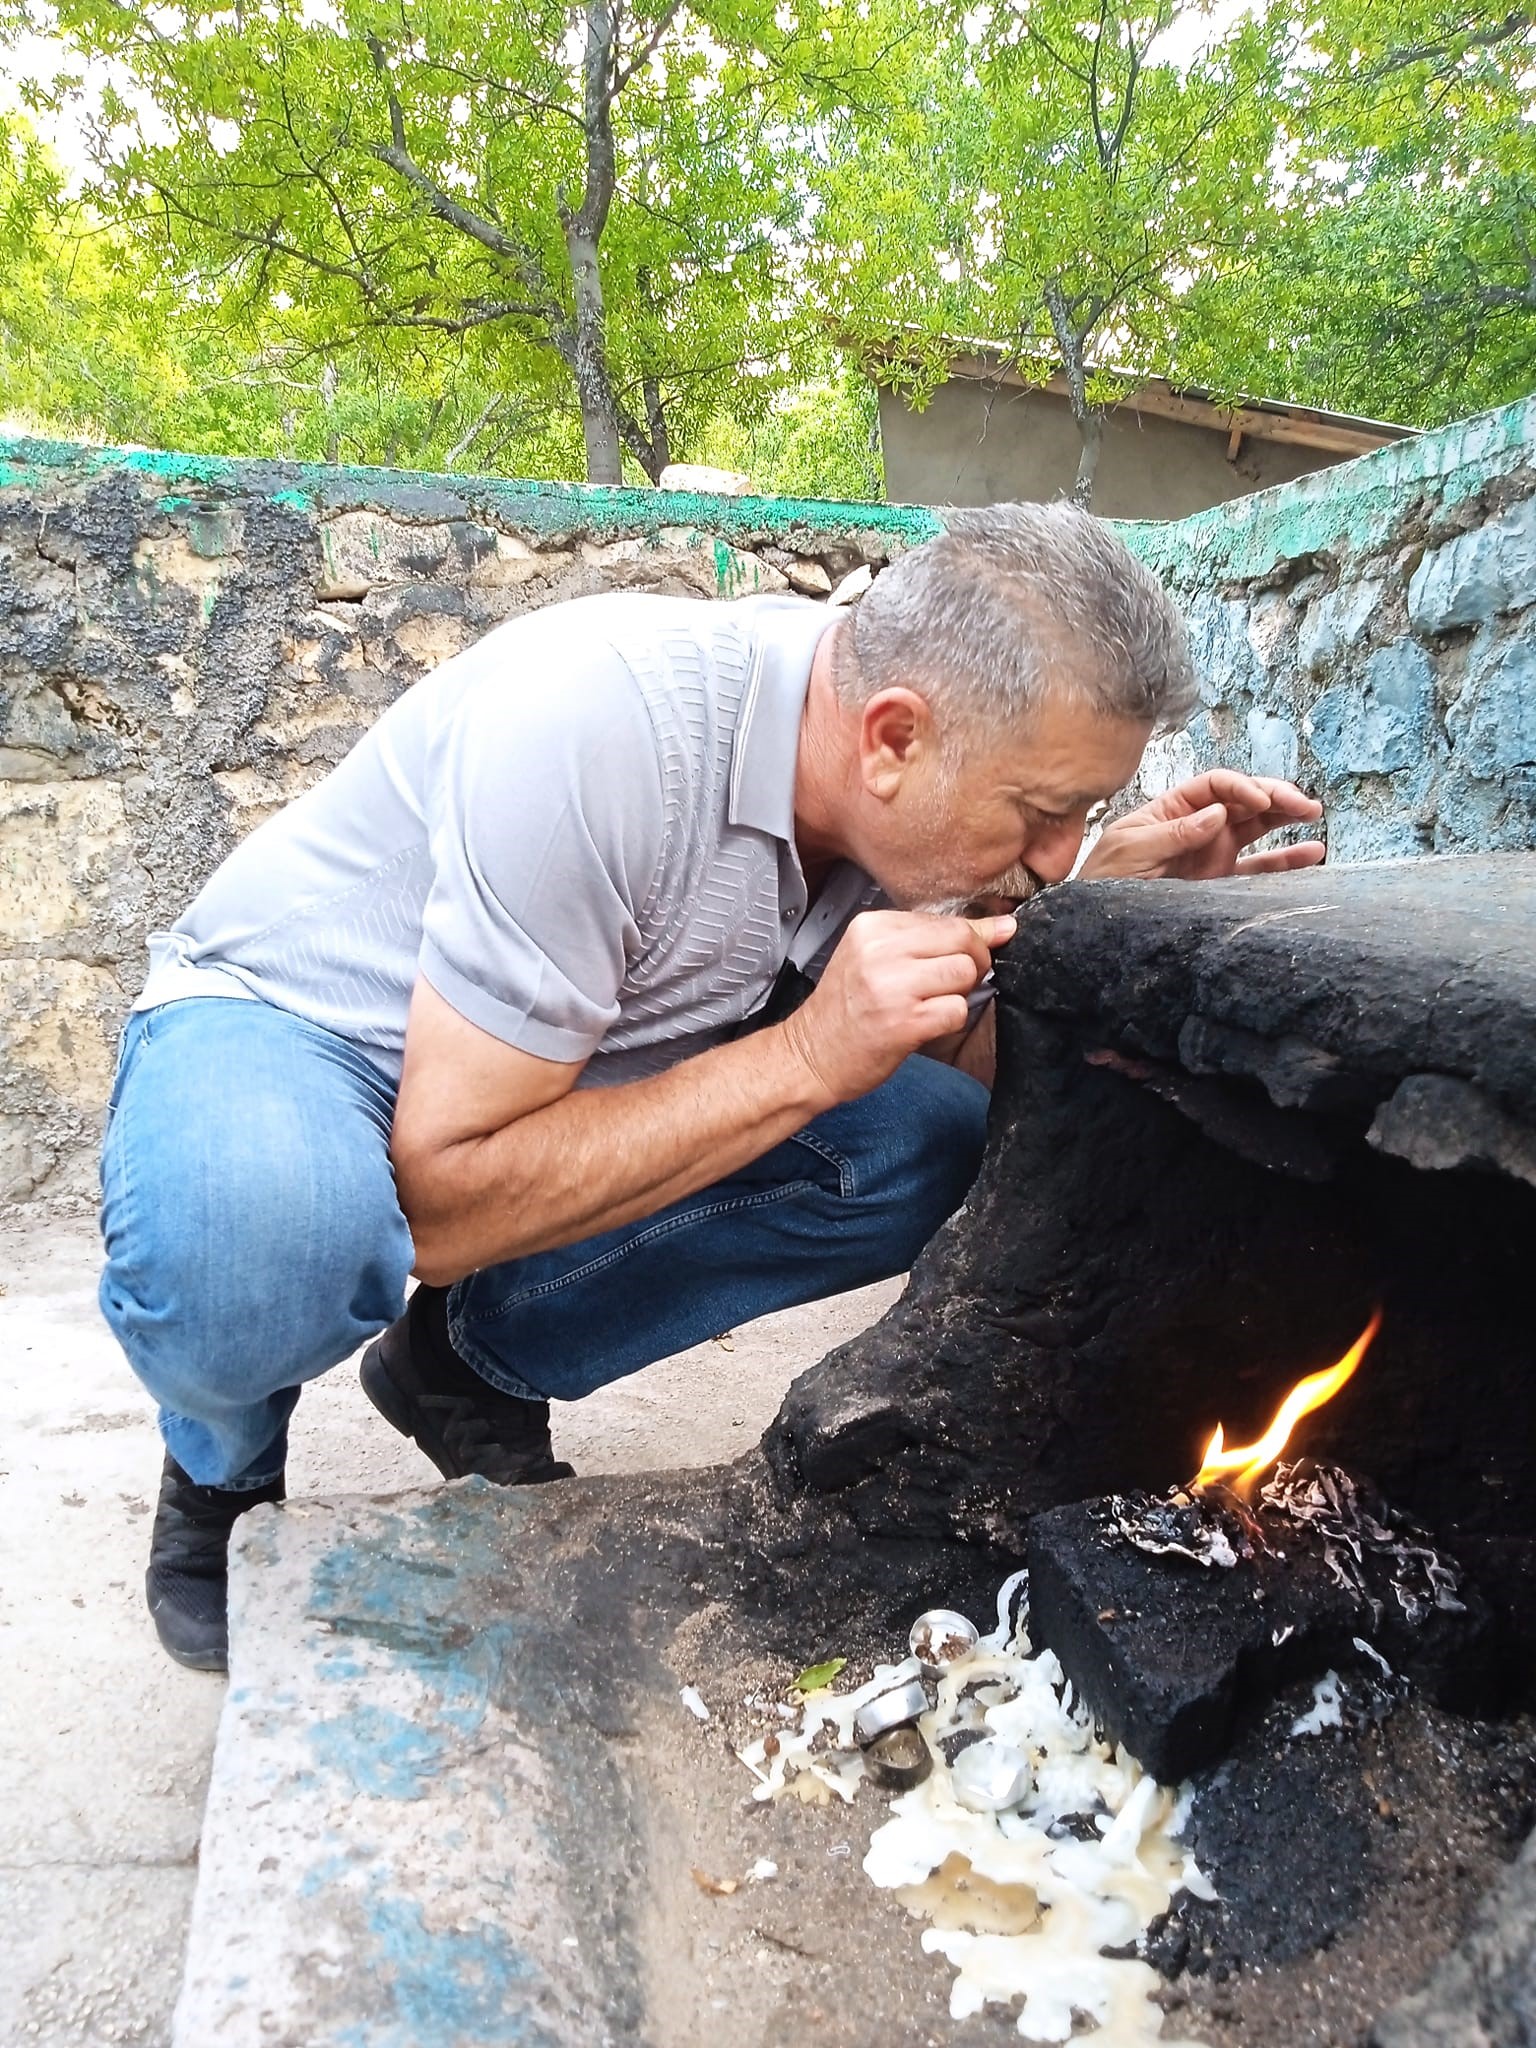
x,y
896,982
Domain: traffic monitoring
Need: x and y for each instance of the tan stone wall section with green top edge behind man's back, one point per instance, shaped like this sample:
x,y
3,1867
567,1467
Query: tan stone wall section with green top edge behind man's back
x,y
185,644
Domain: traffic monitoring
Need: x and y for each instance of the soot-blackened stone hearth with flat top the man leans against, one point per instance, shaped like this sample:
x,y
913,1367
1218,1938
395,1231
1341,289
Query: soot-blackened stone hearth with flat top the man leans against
x,y
1232,1119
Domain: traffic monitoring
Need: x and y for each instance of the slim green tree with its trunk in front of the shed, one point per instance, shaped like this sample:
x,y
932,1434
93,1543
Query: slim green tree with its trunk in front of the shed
x,y
1089,179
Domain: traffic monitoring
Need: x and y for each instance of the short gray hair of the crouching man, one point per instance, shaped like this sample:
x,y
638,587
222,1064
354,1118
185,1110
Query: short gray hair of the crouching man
x,y
1013,603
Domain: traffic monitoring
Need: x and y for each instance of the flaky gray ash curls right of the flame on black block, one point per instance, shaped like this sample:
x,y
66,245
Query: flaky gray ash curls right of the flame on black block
x,y
1357,1527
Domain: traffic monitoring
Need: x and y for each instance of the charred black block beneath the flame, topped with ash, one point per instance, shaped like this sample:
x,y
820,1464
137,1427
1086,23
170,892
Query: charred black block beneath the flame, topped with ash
x,y
1172,1619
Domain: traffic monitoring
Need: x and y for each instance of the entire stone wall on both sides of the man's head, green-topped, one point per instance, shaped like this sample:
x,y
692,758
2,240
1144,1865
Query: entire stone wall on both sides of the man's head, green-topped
x,y
185,644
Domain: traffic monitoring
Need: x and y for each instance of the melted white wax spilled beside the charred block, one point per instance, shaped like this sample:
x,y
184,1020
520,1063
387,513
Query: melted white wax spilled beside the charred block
x,y
1062,1900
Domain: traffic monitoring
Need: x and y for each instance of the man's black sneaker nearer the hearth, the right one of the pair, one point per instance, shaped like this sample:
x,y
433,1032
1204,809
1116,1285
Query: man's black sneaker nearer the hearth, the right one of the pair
x,y
423,1388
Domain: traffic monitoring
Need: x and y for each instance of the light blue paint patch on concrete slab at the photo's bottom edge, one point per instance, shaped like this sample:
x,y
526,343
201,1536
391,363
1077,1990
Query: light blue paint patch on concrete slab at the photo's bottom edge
x,y
447,1988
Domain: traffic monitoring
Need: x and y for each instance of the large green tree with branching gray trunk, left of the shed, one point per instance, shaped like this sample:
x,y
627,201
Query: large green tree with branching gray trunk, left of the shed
x,y
550,200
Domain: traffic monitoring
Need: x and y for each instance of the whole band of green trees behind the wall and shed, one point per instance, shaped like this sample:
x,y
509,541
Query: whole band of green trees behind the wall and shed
x,y
407,232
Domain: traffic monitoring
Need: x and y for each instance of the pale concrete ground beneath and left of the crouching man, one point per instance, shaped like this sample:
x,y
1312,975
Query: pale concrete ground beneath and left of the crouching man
x,y
103,1742
